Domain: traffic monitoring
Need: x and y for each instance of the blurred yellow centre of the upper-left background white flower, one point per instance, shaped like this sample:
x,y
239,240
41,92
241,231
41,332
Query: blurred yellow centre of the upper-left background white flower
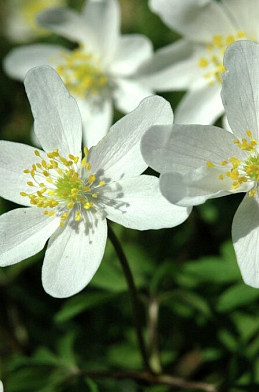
x,y
83,75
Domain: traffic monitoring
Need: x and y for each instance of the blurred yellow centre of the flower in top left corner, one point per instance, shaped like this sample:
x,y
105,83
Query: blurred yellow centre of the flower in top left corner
x,y
30,8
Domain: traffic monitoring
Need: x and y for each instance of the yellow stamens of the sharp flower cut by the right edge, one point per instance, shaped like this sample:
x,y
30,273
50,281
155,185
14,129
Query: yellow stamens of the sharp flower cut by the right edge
x,y
242,171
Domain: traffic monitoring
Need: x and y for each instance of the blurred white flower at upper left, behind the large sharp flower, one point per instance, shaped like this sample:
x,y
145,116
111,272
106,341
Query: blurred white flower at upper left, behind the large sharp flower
x,y
101,70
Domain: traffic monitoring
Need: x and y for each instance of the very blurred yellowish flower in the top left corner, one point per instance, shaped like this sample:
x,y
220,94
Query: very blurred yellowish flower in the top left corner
x,y
20,21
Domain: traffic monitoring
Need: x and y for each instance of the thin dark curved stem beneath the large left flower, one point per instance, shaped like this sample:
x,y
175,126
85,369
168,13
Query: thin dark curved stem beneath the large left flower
x,y
133,296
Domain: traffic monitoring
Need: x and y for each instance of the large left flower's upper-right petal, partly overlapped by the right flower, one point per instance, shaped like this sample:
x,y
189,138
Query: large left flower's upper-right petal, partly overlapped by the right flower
x,y
118,153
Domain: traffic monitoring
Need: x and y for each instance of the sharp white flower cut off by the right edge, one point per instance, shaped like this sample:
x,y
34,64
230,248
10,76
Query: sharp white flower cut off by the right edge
x,y
200,162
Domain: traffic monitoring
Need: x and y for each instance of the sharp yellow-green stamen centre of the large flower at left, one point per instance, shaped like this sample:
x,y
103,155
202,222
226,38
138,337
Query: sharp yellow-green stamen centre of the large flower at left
x,y
61,185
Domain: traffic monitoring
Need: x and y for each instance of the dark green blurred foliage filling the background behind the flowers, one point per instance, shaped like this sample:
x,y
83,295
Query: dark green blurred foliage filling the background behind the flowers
x,y
208,320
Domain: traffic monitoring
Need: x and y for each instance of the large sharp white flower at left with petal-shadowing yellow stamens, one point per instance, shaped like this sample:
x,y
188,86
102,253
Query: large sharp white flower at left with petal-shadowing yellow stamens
x,y
70,197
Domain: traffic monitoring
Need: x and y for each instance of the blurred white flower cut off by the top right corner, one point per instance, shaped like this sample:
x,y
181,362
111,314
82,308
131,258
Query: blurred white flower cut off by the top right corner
x,y
195,62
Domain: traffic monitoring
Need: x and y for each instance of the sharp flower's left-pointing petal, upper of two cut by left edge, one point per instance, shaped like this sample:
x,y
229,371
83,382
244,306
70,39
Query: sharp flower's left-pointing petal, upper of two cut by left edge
x,y
14,159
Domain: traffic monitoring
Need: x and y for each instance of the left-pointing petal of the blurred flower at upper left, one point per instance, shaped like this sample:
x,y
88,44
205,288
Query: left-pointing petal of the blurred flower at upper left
x,y
20,60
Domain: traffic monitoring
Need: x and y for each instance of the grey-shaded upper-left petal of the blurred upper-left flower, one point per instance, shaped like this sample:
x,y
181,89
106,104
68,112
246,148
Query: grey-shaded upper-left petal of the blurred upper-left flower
x,y
68,24
